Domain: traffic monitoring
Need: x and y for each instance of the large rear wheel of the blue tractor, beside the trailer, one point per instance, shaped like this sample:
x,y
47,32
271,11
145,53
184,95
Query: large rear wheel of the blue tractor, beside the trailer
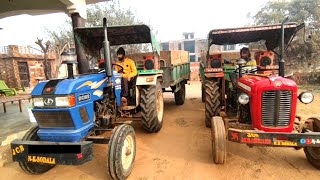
x,y
152,107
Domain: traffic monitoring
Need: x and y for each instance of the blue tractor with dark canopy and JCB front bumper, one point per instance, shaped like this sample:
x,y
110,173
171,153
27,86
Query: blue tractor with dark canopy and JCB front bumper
x,y
75,112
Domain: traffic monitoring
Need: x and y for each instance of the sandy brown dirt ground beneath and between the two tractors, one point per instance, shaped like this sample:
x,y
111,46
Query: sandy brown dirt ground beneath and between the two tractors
x,y
182,150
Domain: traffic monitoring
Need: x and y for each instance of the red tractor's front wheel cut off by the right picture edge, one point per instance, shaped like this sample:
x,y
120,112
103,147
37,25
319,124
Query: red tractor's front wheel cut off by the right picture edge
x,y
313,153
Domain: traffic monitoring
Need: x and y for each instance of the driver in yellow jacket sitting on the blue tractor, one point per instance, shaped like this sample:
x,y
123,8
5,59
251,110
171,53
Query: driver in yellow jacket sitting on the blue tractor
x,y
128,72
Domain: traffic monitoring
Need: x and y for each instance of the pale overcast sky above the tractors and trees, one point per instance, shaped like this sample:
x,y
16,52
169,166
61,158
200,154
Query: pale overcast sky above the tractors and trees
x,y
169,17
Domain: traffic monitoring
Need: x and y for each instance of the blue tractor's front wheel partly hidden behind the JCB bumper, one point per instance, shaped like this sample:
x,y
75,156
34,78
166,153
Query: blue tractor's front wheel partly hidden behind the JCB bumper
x,y
34,168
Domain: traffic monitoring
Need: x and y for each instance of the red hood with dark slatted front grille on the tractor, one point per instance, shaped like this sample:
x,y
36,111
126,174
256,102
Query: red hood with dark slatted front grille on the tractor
x,y
273,101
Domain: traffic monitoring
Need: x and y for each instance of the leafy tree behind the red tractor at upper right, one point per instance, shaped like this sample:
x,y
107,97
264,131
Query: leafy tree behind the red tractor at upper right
x,y
307,11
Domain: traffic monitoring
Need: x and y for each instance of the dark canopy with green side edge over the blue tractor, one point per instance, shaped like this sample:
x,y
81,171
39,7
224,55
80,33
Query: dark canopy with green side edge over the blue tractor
x,y
91,38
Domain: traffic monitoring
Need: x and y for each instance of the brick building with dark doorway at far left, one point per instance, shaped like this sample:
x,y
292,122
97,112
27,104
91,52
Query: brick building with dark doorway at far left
x,y
20,66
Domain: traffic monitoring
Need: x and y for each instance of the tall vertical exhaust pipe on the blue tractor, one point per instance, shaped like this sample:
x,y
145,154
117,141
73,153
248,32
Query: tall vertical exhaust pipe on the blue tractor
x,y
106,46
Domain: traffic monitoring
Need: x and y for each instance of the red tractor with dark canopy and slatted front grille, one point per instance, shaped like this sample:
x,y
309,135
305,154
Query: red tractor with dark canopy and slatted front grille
x,y
260,105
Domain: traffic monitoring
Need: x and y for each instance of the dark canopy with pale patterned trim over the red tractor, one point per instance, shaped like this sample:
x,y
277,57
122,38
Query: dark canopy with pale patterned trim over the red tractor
x,y
270,33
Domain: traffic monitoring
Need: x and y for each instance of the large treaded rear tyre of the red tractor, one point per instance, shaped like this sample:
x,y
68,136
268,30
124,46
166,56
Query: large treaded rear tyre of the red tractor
x,y
212,103
